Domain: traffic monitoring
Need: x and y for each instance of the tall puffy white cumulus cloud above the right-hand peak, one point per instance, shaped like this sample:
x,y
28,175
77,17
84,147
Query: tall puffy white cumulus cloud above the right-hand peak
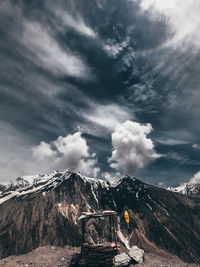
x,y
131,147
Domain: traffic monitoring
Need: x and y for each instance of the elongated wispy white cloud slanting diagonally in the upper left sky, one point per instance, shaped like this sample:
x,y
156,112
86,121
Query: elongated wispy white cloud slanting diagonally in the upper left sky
x,y
47,52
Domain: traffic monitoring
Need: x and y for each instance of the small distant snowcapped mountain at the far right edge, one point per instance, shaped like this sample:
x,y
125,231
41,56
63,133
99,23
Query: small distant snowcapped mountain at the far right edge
x,y
188,189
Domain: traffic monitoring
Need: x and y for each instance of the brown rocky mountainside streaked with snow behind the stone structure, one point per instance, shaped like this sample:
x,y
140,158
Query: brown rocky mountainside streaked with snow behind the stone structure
x,y
43,210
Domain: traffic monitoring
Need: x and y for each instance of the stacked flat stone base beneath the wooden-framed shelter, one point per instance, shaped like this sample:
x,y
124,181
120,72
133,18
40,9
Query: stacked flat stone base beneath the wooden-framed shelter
x,y
98,255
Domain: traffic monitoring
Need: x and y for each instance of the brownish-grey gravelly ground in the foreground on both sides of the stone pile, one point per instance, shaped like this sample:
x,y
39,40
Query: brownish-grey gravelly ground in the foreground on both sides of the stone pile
x,y
61,257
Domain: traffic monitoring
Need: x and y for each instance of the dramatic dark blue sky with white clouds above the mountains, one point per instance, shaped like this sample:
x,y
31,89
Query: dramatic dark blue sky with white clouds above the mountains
x,y
103,87
